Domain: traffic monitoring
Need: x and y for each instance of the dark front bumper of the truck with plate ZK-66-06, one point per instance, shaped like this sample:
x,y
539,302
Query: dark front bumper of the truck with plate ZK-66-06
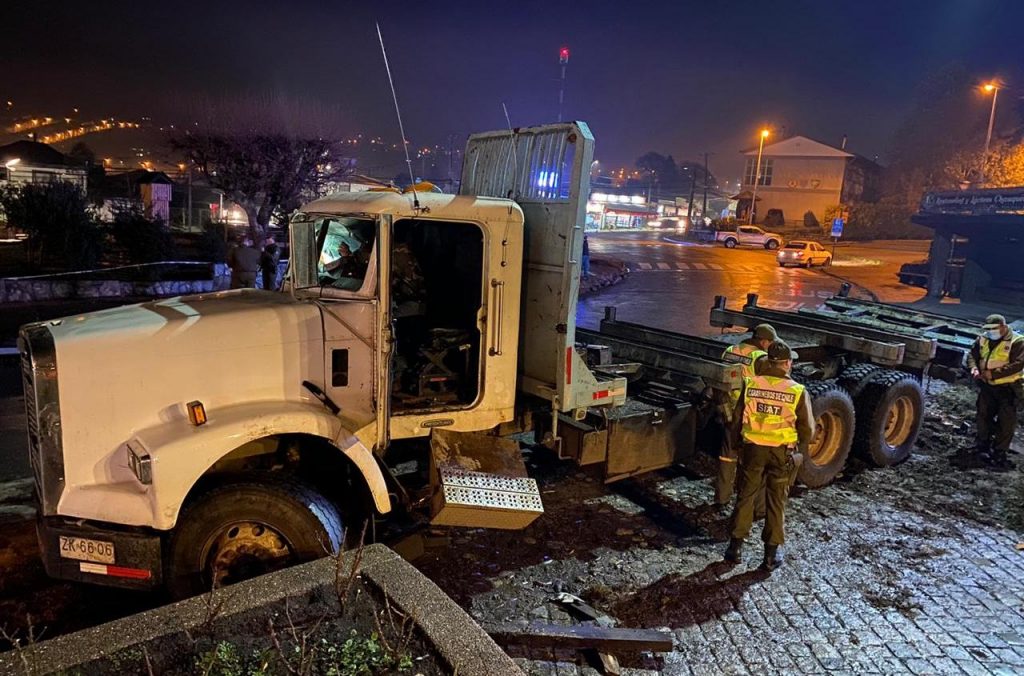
x,y
79,552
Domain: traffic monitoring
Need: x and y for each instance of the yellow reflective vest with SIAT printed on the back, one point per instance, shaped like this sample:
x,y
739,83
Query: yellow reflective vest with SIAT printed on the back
x,y
771,410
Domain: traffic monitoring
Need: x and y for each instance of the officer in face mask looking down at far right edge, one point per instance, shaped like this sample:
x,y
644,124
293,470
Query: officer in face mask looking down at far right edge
x,y
997,363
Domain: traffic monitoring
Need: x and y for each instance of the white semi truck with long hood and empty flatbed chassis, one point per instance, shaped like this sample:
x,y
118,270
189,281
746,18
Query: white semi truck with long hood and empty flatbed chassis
x,y
198,441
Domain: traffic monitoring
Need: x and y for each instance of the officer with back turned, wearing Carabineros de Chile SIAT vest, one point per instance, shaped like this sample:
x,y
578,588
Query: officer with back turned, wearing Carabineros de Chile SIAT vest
x,y
774,419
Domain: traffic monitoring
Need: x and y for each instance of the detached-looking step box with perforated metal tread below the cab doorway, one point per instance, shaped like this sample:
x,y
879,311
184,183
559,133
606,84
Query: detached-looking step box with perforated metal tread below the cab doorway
x,y
481,481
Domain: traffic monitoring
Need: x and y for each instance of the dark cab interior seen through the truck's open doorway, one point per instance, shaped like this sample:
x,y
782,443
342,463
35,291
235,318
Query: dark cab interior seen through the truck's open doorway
x,y
437,293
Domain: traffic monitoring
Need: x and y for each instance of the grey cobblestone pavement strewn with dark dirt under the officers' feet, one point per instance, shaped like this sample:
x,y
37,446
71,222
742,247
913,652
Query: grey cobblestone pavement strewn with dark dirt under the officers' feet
x,y
908,570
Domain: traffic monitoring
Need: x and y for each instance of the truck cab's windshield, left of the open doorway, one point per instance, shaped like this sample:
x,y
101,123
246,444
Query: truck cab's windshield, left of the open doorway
x,y
332,251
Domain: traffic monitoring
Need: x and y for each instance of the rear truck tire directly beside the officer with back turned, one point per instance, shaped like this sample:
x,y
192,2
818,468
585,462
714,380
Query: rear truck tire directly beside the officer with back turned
x,y
834,433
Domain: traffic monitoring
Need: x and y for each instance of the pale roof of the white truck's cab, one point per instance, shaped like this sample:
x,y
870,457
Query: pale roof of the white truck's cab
x,y
458,207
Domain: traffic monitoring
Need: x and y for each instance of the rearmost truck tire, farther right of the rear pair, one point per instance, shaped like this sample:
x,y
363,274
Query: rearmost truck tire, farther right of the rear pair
x,y
890,409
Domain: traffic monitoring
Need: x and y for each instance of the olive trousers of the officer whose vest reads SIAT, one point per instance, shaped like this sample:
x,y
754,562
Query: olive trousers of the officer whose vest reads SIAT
x,y
766,471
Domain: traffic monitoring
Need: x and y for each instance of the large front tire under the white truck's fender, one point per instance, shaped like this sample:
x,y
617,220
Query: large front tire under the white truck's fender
x,y
247,529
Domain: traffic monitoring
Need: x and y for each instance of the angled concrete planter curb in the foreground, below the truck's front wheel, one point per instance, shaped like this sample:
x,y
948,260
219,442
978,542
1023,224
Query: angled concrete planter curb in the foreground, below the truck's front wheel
x,y
456,638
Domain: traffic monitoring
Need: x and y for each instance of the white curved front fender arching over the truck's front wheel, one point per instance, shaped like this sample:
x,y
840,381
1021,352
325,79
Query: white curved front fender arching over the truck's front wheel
x,y
181,454
